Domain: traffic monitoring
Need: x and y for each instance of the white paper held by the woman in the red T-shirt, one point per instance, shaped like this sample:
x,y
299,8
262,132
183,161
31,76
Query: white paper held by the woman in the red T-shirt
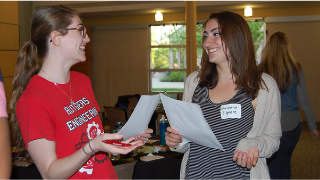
x,y
140,117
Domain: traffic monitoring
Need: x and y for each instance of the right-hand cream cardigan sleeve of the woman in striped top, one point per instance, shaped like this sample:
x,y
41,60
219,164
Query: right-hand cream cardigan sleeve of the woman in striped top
x,y
266,131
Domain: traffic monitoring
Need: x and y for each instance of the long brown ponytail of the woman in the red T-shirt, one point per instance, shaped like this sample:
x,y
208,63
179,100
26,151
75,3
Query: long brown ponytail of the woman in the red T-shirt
x,y
33,52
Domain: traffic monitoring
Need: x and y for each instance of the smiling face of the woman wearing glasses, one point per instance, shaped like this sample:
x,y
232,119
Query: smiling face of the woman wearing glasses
x,y
73,43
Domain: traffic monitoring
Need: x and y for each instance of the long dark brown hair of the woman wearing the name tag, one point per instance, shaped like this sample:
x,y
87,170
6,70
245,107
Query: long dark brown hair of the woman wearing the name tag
x,y
237,39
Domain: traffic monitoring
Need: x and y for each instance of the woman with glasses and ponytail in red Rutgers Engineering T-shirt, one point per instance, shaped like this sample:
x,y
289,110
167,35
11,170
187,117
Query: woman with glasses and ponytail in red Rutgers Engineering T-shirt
x,y
55,108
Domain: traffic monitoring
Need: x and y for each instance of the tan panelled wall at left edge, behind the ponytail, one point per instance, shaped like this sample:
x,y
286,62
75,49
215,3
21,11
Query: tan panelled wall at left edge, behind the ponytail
x,y
9,44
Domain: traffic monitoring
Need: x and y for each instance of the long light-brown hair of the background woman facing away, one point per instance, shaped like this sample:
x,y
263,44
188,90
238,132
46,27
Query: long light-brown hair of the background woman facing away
x,y
278,61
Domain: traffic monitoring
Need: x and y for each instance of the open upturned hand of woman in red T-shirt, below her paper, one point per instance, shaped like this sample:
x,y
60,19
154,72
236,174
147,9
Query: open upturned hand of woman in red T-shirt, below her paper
x,y
97,143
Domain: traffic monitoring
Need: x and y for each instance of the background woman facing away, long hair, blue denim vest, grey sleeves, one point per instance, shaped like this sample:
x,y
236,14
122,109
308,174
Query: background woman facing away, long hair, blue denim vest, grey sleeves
x,y
278,61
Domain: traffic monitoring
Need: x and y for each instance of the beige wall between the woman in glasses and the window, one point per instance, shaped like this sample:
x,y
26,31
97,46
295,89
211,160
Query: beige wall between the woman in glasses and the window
x,y
119,63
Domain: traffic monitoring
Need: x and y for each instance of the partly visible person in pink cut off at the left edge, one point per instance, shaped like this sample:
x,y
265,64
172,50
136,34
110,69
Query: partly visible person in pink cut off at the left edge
x,y
5,146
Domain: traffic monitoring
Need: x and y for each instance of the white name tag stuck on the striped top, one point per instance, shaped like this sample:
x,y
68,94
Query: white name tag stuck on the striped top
x,y
230,111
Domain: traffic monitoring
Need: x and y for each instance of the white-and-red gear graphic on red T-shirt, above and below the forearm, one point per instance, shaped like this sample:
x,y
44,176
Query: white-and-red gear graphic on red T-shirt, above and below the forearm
x,y
92,131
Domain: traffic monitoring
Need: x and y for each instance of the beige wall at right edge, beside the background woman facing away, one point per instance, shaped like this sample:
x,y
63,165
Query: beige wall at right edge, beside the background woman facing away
x,y
304,39
